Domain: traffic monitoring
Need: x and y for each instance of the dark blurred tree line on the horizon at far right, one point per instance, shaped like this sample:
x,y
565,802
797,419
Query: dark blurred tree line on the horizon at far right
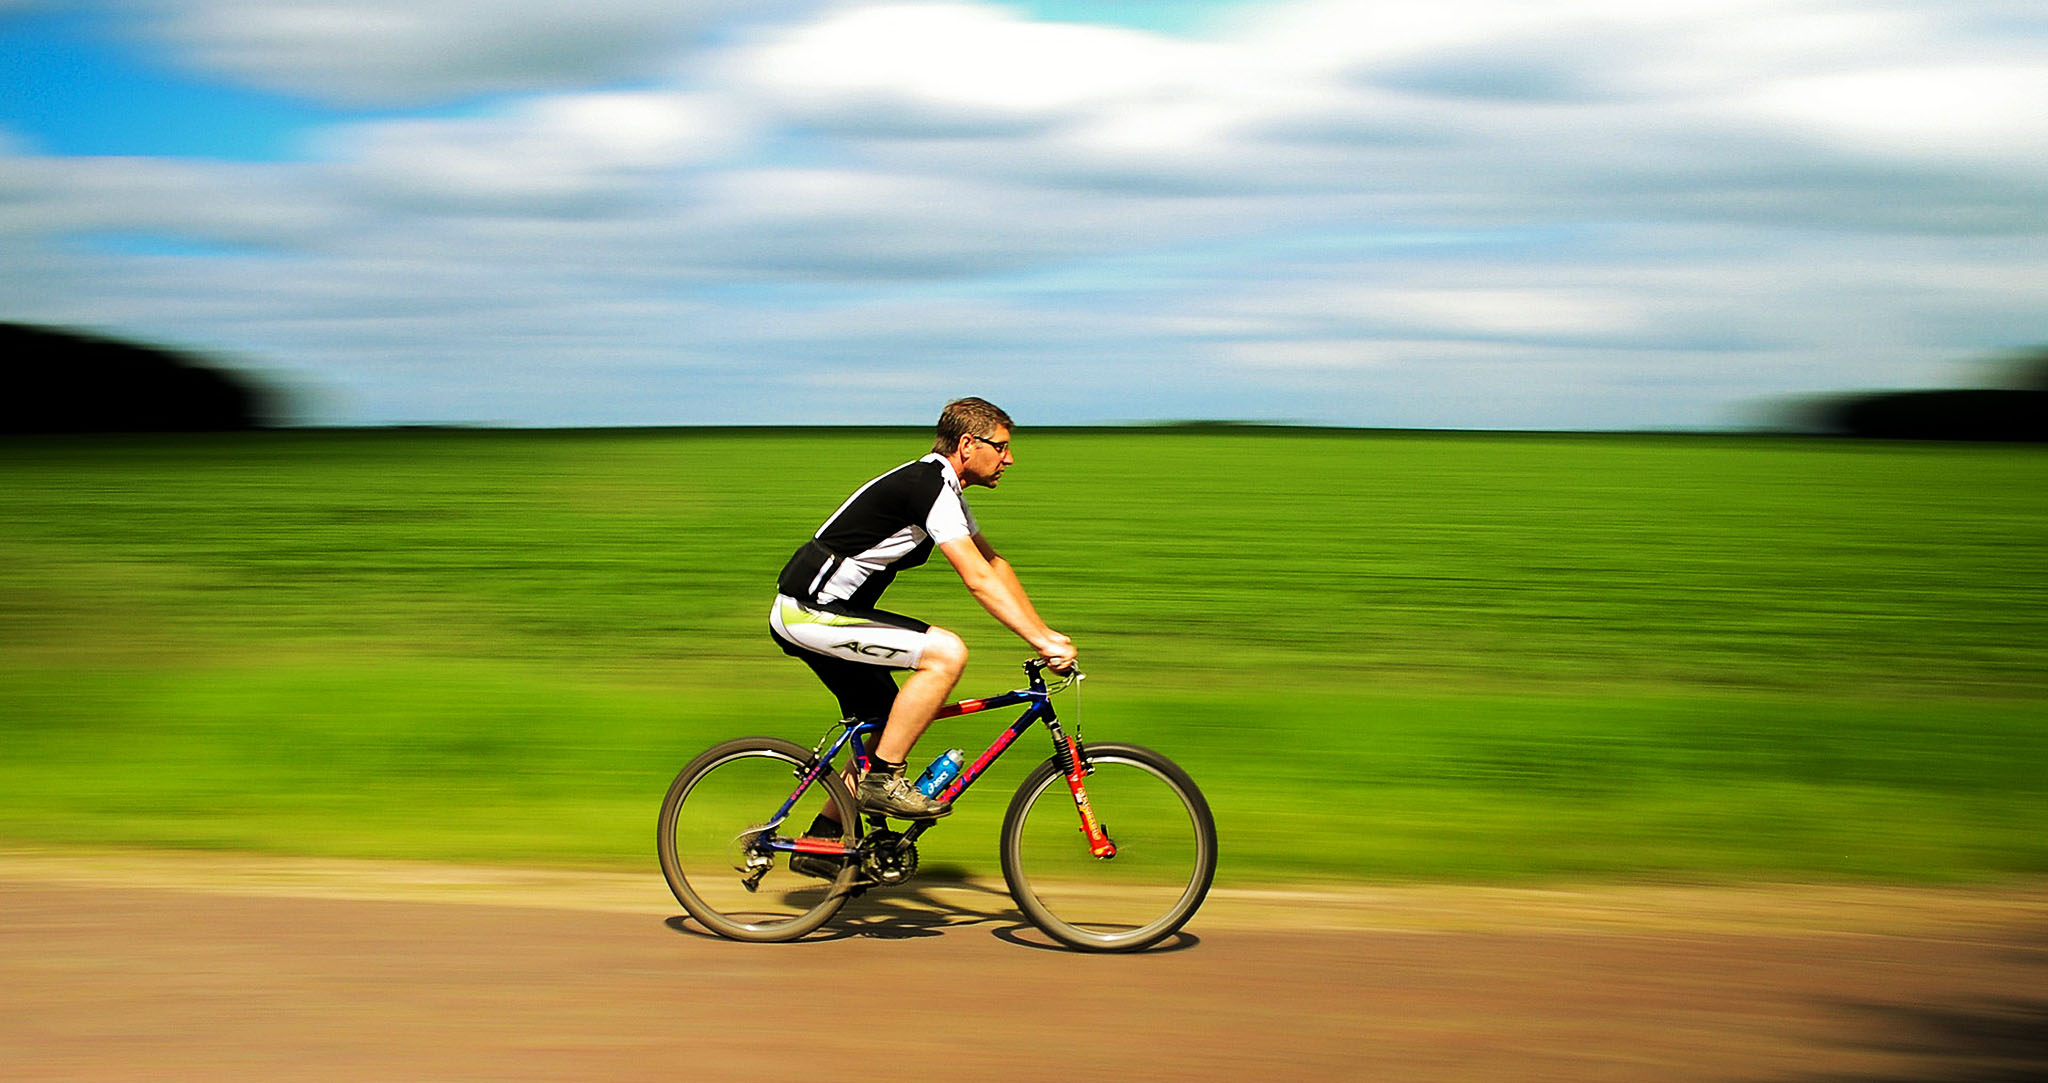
x,y
2012,415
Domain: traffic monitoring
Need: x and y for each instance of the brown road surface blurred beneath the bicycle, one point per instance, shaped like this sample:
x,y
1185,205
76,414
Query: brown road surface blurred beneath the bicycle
x,y
155,967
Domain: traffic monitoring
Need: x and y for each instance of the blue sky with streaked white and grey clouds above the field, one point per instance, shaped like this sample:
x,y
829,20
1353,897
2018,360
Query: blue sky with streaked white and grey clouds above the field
x,y
1451,214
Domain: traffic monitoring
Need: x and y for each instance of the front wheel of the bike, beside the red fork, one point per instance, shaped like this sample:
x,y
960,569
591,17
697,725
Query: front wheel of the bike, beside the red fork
x,y
1166,851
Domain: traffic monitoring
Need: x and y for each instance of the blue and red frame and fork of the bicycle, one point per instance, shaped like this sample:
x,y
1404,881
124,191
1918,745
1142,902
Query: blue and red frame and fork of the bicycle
x,y
1037,711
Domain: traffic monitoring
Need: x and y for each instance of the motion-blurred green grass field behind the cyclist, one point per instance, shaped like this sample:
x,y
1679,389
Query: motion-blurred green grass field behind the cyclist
x,y
1385,656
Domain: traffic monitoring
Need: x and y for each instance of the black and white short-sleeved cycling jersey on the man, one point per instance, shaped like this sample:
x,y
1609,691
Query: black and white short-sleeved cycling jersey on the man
x,y
886,527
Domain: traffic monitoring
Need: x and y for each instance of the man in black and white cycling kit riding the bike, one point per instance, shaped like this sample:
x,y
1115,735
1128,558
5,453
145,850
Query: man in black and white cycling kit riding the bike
x,y
826,599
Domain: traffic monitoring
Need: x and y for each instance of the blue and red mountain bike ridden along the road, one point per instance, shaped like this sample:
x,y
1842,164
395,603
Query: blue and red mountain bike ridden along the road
x,y
1107,847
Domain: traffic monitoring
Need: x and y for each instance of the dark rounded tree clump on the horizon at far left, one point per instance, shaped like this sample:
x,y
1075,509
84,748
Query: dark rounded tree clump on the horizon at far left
x,y
71,382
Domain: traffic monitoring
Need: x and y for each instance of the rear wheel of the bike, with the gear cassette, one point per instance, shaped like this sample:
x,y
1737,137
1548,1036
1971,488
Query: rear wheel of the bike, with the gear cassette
x,y
703,838
